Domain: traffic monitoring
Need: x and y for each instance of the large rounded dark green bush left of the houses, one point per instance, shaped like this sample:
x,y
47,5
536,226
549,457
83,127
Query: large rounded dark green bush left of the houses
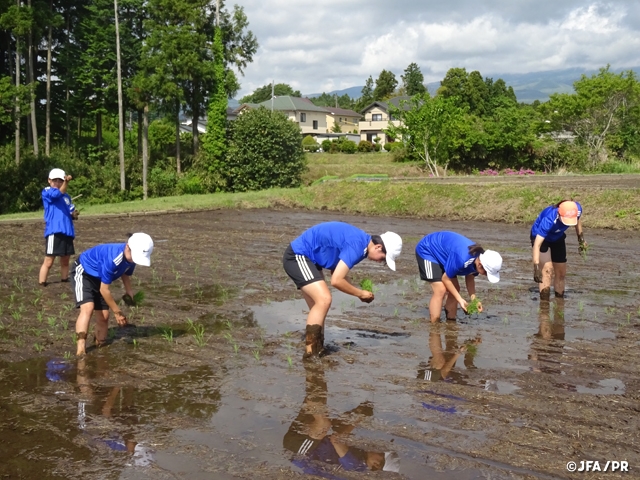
x,y
265,151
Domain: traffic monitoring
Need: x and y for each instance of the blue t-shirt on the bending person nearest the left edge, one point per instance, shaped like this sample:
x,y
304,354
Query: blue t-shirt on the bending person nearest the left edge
x,y
106,262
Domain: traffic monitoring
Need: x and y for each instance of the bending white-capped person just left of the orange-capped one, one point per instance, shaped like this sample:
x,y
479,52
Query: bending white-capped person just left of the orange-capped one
x,y
442,257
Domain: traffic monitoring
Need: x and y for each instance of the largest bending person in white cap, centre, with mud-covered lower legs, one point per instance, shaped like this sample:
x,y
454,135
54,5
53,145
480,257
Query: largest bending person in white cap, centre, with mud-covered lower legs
x,y
338,247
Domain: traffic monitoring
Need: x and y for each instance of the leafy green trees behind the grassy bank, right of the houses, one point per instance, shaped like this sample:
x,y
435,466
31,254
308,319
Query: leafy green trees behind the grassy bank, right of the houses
x,y
476,123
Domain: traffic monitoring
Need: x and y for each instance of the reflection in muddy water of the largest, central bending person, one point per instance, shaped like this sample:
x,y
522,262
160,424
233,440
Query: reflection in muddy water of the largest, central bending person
x,y
320,442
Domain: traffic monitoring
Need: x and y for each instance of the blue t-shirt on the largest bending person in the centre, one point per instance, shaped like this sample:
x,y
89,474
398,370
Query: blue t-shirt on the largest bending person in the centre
x,y
327,243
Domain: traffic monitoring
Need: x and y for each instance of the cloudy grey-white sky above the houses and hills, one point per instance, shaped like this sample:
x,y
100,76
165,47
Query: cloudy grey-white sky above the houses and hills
x,y
325,45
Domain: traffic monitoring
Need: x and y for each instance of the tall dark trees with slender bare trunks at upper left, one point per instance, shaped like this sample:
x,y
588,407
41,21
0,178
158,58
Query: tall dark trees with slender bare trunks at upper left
x,y
63,62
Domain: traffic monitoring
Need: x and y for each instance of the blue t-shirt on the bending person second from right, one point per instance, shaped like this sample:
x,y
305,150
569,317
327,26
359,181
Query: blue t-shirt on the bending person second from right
x,y
449,249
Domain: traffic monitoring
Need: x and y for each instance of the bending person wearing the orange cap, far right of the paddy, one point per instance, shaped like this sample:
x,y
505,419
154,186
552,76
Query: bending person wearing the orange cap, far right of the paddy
x,y
549,249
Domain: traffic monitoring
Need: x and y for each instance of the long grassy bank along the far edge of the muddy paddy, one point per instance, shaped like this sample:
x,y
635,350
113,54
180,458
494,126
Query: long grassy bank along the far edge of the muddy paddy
x,y
510,203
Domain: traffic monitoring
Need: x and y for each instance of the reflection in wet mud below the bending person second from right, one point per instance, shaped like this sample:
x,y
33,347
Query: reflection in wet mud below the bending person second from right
x,y
442,363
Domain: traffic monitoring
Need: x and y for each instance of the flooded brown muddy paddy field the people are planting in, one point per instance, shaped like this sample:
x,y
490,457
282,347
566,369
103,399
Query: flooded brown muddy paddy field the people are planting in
x,y
515,392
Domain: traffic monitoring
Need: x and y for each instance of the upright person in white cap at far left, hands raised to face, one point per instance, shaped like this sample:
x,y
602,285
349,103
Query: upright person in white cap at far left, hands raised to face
x,y
59,214
